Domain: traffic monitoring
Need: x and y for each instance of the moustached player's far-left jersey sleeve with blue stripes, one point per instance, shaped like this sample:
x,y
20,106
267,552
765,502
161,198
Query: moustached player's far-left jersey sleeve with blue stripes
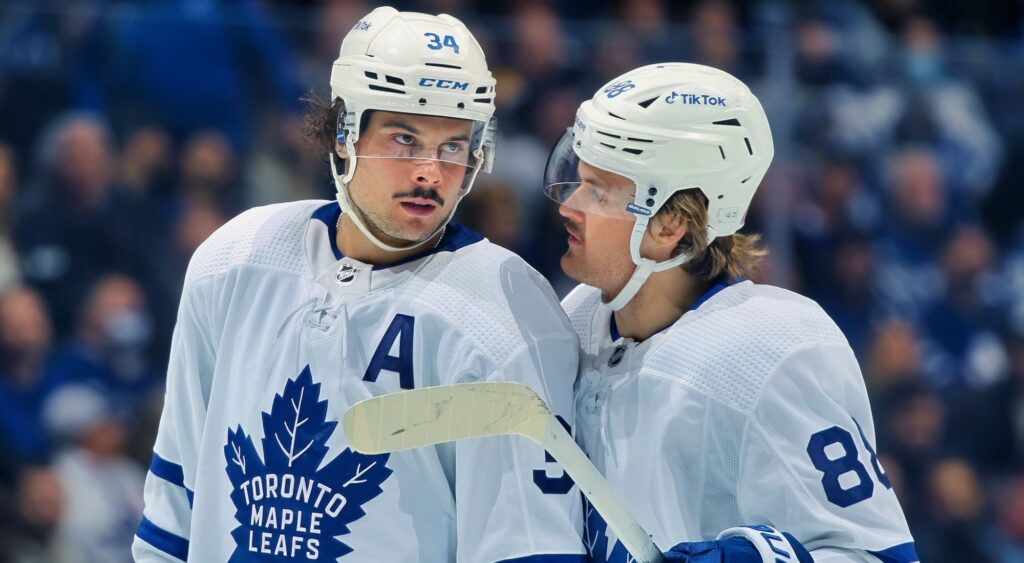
x,y
164,533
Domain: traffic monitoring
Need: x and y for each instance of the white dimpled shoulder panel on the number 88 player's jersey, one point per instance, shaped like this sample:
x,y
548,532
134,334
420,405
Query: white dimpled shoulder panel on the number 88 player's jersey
x,y
739,338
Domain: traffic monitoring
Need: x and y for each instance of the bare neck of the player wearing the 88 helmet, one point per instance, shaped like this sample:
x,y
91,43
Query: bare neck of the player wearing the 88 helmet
x,y
662,300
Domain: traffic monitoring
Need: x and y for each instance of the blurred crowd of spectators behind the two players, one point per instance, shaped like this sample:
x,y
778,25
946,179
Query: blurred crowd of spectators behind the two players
x,y
132,131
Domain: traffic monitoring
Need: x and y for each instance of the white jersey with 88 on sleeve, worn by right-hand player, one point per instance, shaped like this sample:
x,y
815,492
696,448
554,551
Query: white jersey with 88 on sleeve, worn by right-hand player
x,y
750,410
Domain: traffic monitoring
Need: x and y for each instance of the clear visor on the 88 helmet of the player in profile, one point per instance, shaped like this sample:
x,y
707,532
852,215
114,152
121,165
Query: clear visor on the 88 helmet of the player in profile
x,y
577,185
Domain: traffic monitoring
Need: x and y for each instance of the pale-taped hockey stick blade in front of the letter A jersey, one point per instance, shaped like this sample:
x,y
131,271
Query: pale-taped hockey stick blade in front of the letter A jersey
x,y
435,415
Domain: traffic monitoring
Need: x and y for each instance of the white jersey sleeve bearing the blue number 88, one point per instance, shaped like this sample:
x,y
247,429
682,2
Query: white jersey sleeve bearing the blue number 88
x,y
809,465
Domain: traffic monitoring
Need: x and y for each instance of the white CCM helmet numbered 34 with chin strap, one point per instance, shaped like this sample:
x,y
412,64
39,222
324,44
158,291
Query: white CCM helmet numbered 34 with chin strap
x,y
414,64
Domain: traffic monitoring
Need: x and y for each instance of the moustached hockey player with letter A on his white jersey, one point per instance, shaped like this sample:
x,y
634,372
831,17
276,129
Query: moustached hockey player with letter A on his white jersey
x,y
292,313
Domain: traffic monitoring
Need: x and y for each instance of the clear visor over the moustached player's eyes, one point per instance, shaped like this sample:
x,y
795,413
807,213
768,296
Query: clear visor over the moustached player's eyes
x,y
456,149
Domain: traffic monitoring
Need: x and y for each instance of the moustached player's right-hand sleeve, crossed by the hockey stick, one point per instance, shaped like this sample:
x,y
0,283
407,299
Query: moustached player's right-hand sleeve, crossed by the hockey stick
x,y
515,503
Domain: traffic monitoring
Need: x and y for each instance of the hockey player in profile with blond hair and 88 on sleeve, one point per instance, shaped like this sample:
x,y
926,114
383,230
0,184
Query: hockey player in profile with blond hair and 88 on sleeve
x,y
732,417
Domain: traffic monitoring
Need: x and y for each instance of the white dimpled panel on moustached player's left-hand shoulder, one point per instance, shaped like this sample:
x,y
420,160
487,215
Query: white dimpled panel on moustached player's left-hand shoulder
x,y
270,238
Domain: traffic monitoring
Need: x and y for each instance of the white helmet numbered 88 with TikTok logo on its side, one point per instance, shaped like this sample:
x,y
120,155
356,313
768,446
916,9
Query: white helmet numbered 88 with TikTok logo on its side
x,y
667,127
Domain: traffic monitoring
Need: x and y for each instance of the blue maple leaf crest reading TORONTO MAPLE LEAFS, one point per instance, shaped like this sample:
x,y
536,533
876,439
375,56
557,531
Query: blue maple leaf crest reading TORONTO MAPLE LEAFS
x,y
289,508
